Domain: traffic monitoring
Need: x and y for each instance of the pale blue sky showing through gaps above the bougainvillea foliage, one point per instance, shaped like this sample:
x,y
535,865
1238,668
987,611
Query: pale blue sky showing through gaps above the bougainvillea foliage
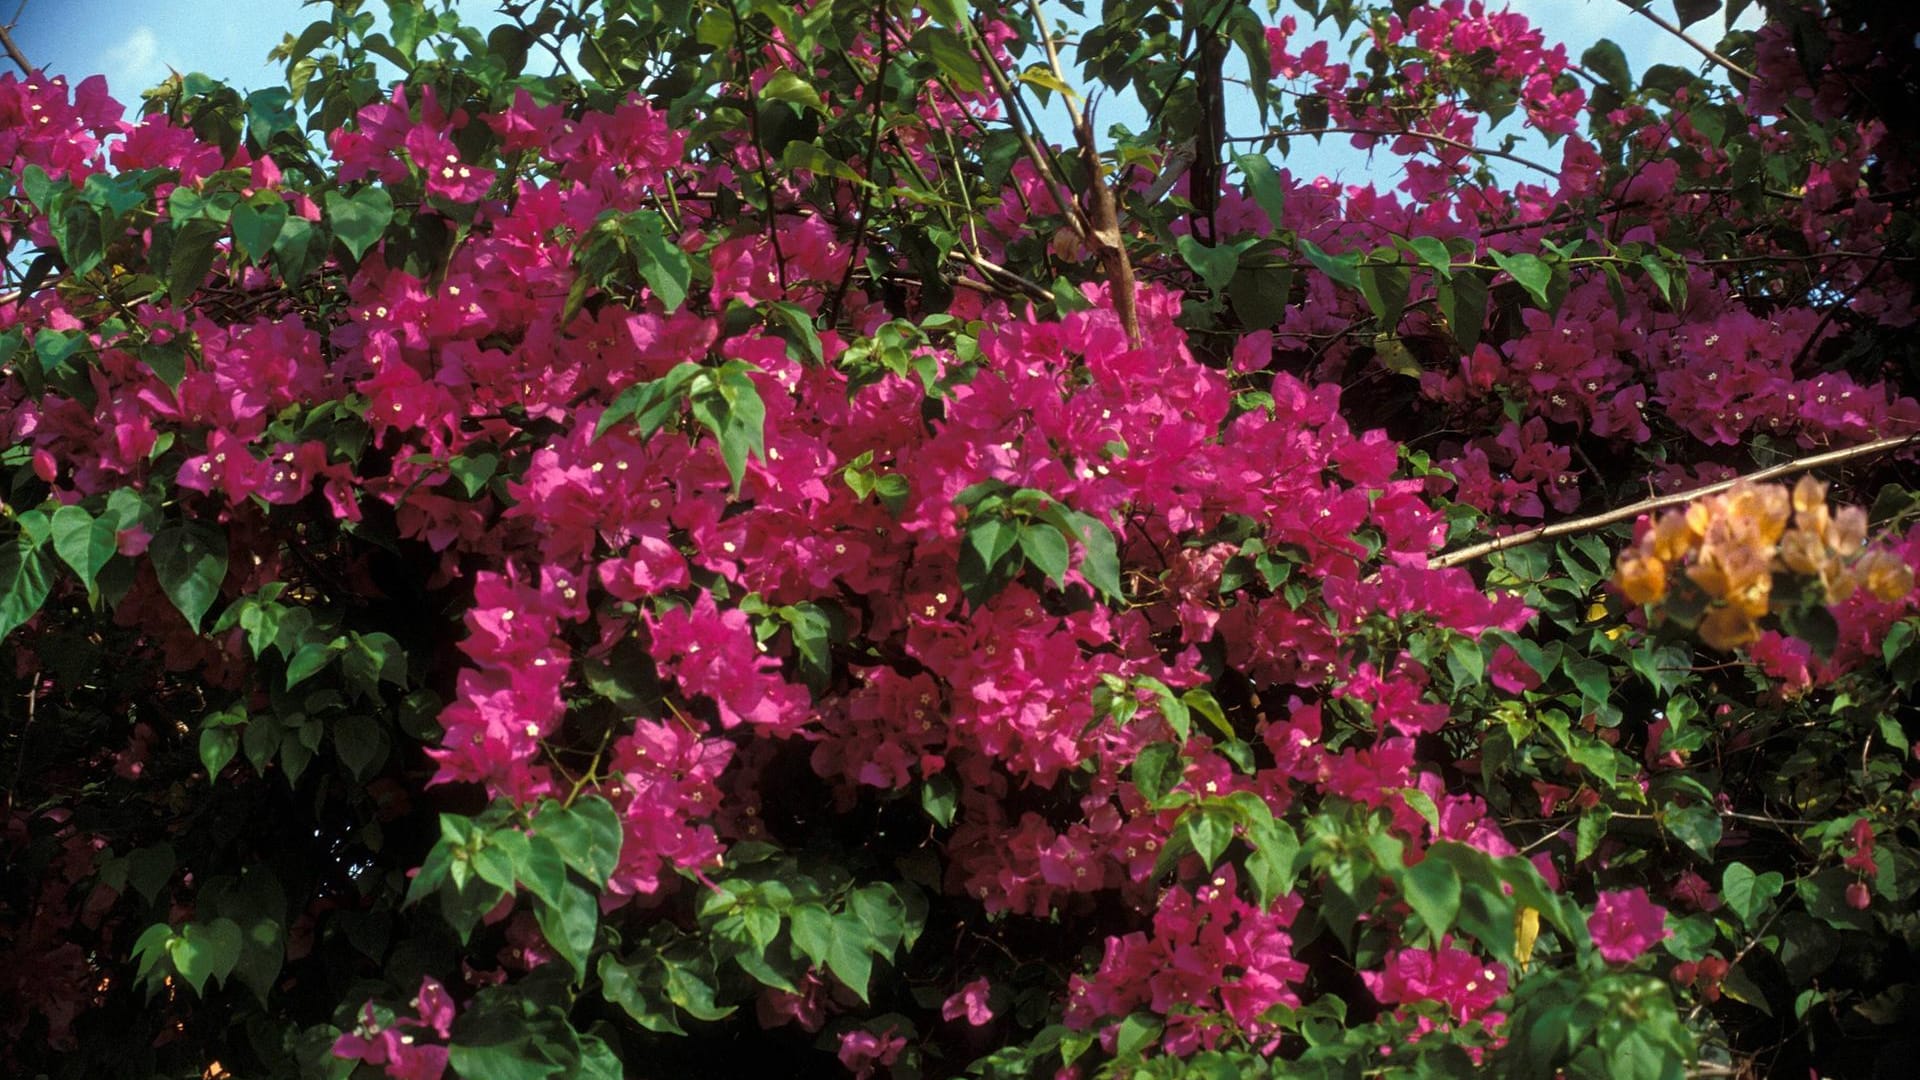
x,y
135,43
